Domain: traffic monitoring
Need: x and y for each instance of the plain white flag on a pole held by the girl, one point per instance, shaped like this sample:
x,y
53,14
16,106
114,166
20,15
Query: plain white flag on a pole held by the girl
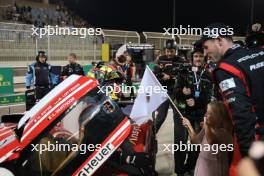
x,y
149,97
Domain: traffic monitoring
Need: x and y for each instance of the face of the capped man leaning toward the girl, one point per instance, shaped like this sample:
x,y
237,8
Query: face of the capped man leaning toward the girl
x,y
211,47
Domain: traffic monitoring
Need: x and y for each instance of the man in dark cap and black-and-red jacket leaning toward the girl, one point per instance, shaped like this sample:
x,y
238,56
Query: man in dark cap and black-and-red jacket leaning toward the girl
x,y
239,76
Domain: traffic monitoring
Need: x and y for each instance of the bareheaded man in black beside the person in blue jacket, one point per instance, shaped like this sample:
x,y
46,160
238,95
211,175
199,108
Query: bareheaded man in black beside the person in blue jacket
x,y
72,68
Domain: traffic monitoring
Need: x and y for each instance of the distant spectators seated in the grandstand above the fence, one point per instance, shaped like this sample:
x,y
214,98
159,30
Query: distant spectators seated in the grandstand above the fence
x,y
40,17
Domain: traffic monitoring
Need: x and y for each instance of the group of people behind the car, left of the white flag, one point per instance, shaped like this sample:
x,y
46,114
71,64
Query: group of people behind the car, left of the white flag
x,y
41,77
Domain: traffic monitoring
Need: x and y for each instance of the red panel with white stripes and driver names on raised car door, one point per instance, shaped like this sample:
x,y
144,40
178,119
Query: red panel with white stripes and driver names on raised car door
x,y
55,108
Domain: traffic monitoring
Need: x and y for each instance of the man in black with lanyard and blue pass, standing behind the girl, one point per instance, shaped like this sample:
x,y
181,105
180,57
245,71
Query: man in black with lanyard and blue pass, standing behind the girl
x,y
193,93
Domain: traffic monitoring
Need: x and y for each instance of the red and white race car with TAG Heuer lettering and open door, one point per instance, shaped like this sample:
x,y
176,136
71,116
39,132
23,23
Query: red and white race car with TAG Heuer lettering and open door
x,y
76,130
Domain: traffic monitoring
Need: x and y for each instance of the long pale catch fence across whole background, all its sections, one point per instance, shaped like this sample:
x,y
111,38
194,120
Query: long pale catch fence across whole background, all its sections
x,y
18,47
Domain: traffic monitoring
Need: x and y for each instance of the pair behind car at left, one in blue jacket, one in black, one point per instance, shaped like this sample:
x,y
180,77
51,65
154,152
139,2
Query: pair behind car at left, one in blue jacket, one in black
x,y
41,77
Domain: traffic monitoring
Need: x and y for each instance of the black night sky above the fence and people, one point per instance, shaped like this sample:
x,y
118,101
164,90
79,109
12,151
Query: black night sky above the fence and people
x,y
146,15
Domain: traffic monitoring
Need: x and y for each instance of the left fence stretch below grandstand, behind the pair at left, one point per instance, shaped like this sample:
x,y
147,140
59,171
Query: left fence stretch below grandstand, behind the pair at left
x,y
18,47
